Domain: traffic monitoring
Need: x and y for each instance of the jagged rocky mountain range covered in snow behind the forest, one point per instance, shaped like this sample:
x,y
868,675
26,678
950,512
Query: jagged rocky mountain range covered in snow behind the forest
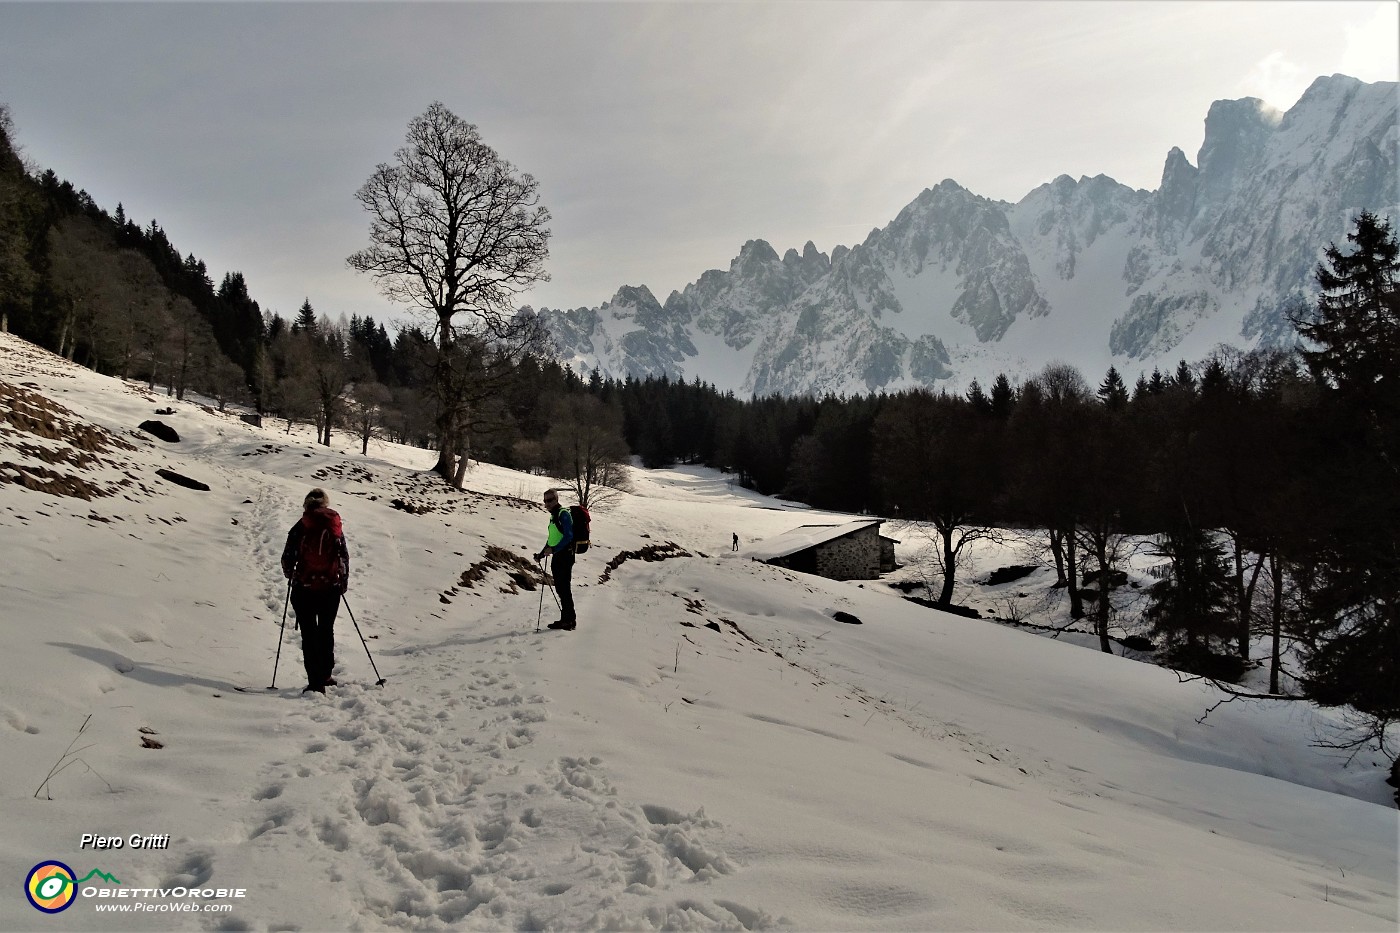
x,y
1090,271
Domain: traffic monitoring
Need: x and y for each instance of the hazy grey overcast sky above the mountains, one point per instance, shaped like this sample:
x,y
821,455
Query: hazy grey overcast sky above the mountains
x,y
664,135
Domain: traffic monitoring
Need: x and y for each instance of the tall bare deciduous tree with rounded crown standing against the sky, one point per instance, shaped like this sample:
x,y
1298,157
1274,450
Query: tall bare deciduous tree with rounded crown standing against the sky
x,y
457,233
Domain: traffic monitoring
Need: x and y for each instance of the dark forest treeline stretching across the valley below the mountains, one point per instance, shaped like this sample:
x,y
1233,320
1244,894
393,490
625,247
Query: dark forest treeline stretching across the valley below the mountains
x,y
1269,481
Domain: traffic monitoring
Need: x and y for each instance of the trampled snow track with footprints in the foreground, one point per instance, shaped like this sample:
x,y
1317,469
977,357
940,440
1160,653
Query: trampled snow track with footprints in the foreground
x,y
463,822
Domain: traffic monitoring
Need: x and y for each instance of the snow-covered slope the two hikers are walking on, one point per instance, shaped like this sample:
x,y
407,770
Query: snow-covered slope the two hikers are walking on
x,y
709,750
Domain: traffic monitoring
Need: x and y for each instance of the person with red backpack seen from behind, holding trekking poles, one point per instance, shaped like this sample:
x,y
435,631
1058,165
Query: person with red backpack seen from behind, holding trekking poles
x,y
318,565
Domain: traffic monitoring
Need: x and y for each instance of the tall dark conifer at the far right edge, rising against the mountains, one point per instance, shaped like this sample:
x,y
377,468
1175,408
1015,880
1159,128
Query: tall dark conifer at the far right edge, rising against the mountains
x,y
1353,590
